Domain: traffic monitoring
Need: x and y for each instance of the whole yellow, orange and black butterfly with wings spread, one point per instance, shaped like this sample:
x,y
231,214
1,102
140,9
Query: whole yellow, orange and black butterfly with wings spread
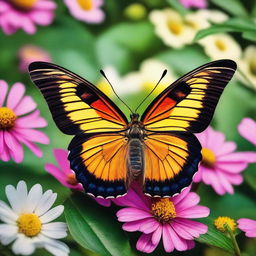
x,y
159,149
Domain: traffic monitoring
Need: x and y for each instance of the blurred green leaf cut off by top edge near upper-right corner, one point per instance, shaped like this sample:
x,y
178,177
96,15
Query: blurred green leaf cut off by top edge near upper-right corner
x,y
233,7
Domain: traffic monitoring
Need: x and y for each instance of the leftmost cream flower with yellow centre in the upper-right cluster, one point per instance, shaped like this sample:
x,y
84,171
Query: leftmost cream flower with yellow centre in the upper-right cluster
x,y
171,27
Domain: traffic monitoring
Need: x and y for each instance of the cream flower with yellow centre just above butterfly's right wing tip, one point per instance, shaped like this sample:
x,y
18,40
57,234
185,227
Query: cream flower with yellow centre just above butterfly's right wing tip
x,y
221,46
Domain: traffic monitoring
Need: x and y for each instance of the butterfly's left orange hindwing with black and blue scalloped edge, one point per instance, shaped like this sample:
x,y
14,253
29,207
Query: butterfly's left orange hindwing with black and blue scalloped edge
x,y
100,163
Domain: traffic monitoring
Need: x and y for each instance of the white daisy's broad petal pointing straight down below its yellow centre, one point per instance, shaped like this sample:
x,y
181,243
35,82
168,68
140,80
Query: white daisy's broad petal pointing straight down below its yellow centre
x,y
23,245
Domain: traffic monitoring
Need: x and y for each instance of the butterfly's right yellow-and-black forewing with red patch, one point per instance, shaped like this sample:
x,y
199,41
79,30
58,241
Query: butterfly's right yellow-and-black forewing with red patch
x,y
189,103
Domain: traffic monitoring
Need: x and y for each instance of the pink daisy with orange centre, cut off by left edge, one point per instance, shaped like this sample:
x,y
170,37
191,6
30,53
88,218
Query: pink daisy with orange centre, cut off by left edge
x,y
18,120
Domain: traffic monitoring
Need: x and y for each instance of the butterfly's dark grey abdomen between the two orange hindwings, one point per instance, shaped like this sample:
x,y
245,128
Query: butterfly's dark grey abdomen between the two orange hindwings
x,y
135,159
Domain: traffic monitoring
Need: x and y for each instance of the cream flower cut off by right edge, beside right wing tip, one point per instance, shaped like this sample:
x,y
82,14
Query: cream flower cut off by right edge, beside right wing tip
x,y
248,65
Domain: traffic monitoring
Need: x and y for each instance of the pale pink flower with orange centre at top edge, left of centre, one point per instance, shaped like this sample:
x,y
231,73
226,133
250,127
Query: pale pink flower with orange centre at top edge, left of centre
x,y
88,11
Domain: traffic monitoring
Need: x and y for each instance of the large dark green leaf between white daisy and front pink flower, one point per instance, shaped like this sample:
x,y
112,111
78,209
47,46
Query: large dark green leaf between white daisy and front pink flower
x,y
93,228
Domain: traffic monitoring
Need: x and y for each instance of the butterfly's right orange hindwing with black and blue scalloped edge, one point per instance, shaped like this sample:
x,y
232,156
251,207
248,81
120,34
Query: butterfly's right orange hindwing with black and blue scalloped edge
x,y
171,160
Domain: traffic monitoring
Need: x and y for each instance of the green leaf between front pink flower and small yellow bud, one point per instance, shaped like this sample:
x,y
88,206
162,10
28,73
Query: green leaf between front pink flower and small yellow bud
x,y
214,237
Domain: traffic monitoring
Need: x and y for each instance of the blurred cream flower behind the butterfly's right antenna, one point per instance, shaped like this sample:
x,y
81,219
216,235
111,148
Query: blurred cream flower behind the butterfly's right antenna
x,y
148,75
